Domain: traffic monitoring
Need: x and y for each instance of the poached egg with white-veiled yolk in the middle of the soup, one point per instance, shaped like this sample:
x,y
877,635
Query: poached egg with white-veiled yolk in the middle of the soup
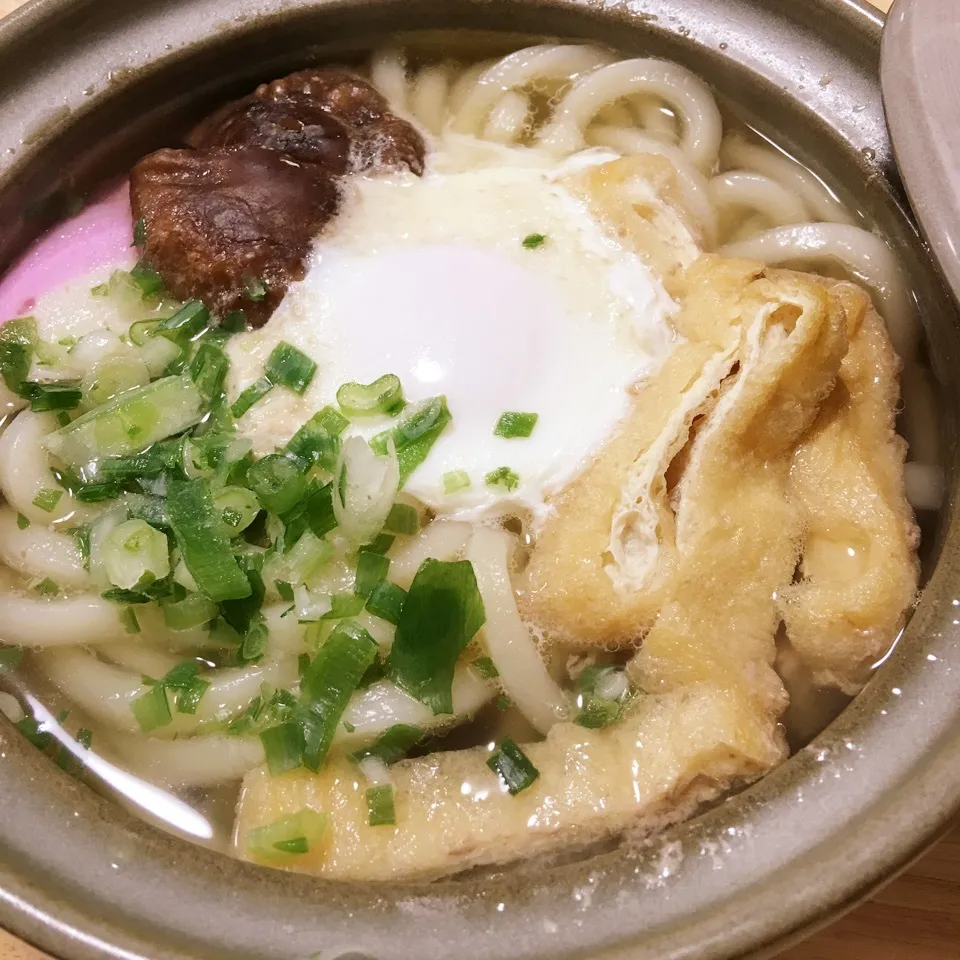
x,y
428,278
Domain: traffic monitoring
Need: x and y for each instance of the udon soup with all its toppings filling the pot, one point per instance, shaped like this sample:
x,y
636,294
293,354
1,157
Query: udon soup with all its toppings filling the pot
x,y
435,481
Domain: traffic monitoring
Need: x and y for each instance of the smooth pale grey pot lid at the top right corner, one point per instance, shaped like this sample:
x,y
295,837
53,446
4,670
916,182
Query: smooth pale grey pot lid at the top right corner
x,y
920,77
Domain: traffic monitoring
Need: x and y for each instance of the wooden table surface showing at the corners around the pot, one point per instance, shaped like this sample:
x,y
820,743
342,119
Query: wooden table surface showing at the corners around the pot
x,y
917,917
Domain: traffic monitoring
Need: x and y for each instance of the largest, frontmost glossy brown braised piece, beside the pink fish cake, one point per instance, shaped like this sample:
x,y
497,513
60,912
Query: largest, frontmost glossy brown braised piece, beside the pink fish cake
x,y
230,227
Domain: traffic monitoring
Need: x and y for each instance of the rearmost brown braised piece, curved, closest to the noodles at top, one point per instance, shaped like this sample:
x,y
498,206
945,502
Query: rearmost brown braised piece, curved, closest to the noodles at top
x,y
379,138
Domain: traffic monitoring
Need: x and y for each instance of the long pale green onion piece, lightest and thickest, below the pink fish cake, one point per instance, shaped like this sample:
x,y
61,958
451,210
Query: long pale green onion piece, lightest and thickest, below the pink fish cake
x,y
129,423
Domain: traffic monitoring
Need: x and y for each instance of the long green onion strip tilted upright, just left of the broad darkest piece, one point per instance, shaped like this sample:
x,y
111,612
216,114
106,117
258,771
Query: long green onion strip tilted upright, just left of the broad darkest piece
x,y
328,684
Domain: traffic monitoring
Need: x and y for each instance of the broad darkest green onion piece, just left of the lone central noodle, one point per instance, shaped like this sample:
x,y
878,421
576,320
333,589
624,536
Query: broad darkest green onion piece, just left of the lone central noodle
x,y
442,613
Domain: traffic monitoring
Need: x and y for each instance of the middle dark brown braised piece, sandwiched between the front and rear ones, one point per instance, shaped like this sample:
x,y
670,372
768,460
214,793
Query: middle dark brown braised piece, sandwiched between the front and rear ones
x,y
296,126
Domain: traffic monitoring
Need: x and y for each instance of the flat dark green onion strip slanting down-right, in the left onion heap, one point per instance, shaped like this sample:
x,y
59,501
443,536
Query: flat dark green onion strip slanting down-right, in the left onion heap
x,y
205,550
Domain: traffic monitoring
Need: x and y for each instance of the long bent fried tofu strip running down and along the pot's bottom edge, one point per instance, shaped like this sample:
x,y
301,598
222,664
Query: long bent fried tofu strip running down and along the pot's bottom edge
x,y
708,714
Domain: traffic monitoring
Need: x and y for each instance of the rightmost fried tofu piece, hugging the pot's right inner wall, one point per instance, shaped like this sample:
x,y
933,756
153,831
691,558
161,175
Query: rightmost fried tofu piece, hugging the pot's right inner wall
x,y
859,571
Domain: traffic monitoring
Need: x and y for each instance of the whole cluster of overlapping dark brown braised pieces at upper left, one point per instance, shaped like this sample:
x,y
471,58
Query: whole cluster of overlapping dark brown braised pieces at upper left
x,y
231,221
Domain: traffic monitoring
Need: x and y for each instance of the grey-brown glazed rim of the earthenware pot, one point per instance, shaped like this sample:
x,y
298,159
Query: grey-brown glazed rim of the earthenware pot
x,y
83,879
